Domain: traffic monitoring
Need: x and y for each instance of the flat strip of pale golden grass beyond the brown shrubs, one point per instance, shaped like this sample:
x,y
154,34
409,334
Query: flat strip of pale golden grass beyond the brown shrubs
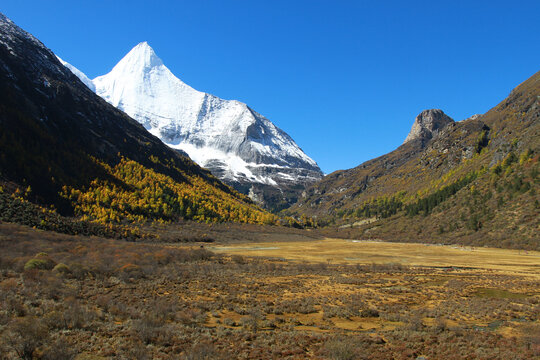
x,y
367,252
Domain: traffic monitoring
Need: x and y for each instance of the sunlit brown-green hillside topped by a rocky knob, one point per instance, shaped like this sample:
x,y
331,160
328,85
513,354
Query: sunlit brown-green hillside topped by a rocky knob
x,y
474,181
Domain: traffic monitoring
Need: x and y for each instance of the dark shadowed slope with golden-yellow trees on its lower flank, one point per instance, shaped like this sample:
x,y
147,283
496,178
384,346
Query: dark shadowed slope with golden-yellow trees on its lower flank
x,y
63,146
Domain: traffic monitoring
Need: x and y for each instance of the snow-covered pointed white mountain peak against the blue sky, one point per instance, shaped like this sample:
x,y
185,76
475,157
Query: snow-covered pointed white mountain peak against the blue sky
x,y
237,144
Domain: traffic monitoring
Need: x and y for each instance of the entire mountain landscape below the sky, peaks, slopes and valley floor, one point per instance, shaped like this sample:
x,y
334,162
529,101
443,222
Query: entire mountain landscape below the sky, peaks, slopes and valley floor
x,y
143,219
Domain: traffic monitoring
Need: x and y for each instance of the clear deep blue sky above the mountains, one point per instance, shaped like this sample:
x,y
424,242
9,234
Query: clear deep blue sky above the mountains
x,y
344,78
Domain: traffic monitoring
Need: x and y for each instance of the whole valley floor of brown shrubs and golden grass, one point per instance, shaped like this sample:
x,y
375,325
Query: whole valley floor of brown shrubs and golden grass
x,y
75,297
